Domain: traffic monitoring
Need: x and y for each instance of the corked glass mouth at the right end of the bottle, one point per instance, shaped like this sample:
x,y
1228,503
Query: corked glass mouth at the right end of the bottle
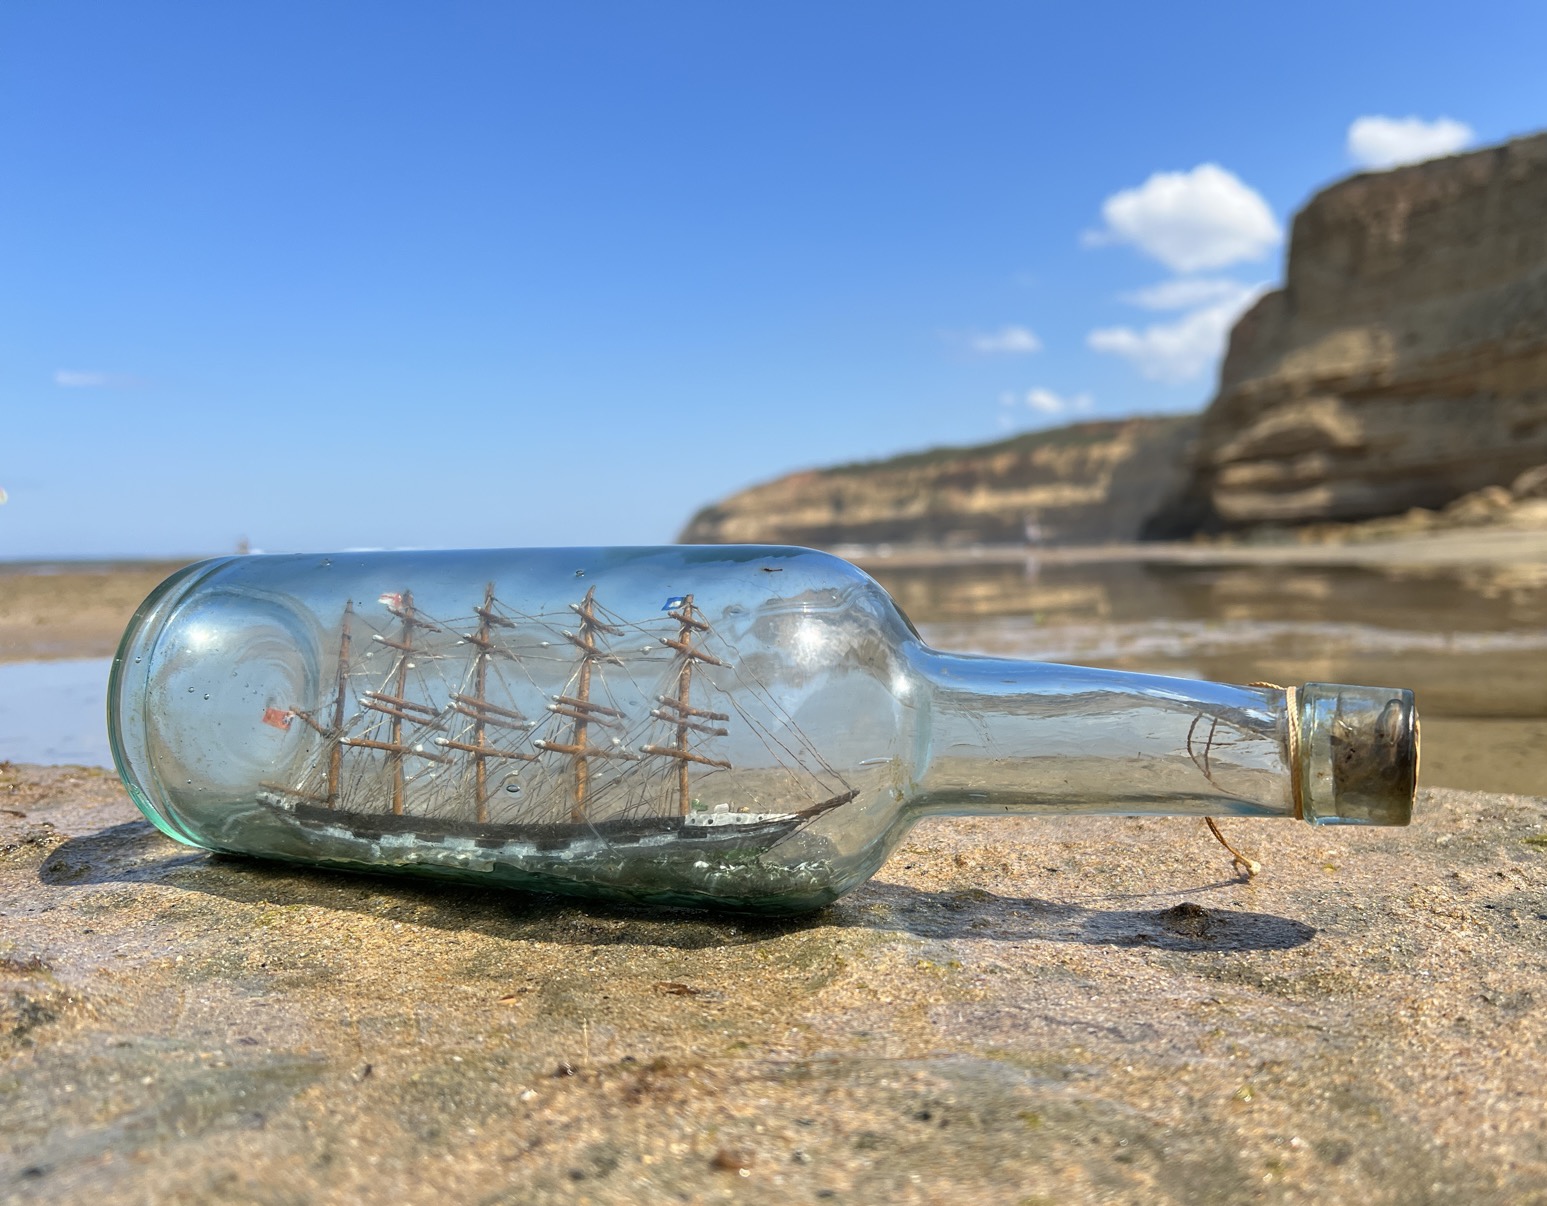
x,y
1359,761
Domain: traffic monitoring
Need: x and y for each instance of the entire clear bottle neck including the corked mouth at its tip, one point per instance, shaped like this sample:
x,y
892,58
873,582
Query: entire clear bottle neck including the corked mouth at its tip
x,y
1030,737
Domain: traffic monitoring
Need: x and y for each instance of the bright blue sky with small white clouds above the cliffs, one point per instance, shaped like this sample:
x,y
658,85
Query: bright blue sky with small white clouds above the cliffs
x,y
335,276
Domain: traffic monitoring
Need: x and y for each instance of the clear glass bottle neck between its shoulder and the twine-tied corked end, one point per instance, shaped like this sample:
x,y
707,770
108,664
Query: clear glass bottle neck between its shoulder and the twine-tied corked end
x,y
1033,738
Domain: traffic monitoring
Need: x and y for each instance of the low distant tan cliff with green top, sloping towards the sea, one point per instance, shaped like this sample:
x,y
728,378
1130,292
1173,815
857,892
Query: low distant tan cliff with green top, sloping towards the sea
x,y
1085,483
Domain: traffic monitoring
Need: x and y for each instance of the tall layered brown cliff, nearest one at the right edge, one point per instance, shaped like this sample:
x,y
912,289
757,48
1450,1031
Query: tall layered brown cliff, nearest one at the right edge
x,y
1404,364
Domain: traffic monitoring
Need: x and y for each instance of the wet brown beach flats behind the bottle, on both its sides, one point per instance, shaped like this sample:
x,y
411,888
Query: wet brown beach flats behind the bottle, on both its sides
x,y
1458,618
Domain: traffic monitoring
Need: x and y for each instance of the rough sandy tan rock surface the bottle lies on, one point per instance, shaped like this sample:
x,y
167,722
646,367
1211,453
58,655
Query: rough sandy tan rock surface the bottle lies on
x,y
1014,1010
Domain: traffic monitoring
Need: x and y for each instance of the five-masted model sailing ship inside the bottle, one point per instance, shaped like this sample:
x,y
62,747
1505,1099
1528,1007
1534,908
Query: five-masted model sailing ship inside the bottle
x,y
422,740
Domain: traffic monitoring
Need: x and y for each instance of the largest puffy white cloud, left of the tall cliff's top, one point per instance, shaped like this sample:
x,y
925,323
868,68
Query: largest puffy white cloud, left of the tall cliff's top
x,y
1190,220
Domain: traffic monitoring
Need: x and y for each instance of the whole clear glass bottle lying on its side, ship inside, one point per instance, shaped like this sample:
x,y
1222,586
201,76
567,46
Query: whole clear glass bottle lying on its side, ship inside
x,y
725,727
